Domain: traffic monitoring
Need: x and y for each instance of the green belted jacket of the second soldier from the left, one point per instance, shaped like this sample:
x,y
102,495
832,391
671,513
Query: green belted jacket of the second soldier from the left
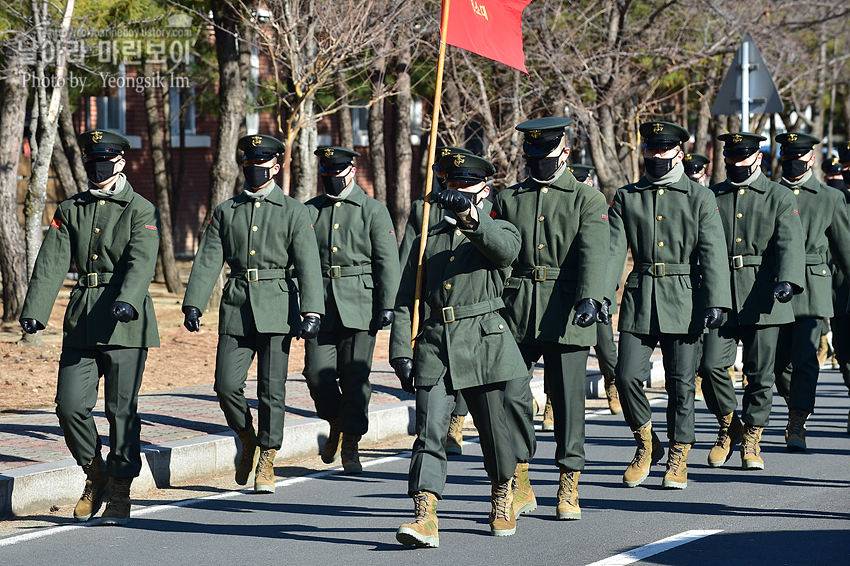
x,y
271,250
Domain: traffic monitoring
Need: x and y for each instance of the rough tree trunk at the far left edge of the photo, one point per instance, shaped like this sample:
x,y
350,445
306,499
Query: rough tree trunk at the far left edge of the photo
x,y
13,100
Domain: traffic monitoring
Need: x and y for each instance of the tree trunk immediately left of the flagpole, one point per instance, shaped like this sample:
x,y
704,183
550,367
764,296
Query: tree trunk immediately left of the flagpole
x,y
400,208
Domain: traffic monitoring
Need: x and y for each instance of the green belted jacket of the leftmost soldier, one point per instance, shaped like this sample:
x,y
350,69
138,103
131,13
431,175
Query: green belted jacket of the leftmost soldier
x,y
114,243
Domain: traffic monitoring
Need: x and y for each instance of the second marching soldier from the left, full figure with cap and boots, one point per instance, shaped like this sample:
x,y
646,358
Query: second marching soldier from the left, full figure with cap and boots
x,y
267,240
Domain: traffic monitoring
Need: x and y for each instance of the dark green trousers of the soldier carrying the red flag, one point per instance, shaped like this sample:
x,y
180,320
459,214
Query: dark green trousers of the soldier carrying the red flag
x,y
434,406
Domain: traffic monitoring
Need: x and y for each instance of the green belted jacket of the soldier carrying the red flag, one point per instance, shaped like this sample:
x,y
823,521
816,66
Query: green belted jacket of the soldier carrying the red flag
x,y
464,274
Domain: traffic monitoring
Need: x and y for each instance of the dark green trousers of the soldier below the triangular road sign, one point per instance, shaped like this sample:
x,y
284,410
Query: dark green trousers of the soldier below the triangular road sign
x,y
759,356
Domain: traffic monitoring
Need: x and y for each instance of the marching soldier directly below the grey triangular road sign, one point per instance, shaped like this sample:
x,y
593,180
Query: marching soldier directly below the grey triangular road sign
x,y
764,243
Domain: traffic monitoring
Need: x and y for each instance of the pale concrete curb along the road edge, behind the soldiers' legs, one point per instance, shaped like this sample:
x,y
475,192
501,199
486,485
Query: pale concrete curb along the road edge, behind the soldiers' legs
x,y
34,489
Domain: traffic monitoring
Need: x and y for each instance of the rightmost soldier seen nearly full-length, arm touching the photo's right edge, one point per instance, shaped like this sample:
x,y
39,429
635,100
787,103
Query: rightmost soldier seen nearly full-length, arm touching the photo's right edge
x,y
826,227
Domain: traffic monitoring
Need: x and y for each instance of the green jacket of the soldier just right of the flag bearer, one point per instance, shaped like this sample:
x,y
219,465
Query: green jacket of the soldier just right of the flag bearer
x,y
564,232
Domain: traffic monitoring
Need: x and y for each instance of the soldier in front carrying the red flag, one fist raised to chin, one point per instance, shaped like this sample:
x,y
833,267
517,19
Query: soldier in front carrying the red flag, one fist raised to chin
x,y
464,345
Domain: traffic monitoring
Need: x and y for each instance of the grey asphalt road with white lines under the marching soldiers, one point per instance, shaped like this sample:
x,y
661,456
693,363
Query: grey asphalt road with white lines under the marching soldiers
x,y
796,511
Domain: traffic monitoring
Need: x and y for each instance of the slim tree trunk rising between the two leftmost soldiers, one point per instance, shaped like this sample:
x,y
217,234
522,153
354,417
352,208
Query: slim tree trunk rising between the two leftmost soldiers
x,y
162,185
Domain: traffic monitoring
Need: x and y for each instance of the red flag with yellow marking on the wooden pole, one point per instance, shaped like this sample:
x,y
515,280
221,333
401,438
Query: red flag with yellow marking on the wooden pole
x,y
490,28
